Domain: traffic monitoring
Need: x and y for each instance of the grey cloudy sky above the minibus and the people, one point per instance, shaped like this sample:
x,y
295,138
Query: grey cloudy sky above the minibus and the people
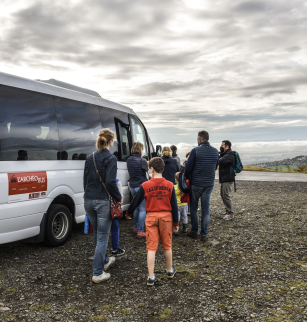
x,y
237,69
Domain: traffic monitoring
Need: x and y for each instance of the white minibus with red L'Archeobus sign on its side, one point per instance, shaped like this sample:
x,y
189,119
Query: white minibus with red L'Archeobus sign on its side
x,y
47,130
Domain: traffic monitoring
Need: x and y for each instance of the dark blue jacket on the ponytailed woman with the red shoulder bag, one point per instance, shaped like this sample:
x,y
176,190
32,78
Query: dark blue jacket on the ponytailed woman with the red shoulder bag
x,y
107,167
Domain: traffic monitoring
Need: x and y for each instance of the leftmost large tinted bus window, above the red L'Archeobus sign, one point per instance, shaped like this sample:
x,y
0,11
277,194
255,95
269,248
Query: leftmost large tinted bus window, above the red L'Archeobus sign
x,y
27,125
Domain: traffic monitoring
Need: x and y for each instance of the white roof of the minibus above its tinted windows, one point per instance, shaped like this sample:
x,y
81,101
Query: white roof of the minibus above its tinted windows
x,y
74,94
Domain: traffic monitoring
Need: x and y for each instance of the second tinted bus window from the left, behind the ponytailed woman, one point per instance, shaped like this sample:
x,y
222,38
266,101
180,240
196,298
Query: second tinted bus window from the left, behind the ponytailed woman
x,y
79,125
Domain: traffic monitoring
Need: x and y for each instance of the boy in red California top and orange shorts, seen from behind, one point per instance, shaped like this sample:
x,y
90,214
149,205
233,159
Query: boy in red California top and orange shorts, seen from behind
x,y
161,219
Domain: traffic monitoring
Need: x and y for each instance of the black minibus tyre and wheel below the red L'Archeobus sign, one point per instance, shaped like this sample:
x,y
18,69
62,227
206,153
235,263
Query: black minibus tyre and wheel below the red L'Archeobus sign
x,y
58,225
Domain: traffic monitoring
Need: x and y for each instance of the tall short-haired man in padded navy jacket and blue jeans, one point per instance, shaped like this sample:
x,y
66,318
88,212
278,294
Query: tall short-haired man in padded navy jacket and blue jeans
x,y
201,166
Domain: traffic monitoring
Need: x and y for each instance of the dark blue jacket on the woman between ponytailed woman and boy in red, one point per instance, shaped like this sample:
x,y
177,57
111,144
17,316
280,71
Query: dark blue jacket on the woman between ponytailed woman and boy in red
x,y
137,168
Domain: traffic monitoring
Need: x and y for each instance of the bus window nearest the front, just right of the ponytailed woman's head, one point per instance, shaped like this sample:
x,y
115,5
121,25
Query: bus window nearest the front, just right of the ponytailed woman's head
x,y
109,119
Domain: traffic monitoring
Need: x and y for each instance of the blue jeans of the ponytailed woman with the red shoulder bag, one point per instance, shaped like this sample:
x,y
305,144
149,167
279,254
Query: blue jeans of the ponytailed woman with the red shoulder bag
x,y
98,212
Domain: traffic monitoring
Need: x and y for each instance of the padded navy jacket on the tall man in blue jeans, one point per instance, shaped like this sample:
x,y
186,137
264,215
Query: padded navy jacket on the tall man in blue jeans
x,y
201,165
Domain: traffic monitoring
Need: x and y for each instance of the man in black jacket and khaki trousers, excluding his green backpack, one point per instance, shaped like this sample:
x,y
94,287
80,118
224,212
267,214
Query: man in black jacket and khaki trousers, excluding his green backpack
x,y
227,164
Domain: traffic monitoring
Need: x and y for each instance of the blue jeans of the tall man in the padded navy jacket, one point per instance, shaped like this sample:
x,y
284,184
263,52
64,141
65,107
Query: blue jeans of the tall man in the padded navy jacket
x,y
204,193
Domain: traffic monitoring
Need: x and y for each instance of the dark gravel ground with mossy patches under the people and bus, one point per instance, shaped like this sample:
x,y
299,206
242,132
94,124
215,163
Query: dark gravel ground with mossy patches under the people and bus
x,y
251,269
